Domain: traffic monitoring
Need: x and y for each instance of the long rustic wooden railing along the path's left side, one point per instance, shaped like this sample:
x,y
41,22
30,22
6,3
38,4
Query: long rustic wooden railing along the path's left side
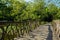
x,y
10,30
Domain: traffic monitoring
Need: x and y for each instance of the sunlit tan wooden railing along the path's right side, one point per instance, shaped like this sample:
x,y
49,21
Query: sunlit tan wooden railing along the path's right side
x,y
56,27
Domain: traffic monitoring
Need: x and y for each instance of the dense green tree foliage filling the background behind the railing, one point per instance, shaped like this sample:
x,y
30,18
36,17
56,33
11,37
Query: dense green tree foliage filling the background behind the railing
x,y
12,10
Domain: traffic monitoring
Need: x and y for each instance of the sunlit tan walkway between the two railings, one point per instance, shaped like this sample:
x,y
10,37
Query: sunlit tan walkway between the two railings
x,y
44,32
